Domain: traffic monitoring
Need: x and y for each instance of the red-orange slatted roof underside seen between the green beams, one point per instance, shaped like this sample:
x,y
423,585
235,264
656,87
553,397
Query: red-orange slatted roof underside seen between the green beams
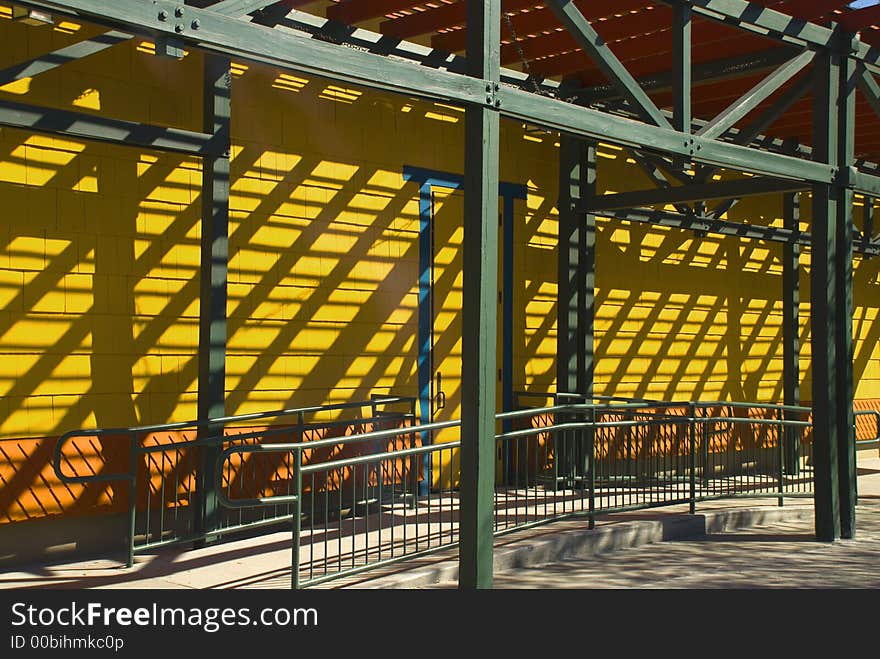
x,y
640,35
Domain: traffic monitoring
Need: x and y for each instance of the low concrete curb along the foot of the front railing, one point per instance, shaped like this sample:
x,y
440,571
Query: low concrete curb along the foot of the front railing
x,y
583,543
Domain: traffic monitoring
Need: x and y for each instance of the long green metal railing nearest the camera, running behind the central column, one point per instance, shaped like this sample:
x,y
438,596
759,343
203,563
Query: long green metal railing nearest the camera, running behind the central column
x,y
566,460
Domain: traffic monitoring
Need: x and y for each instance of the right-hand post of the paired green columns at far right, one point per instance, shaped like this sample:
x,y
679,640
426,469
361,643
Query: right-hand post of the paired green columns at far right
x,y
844,298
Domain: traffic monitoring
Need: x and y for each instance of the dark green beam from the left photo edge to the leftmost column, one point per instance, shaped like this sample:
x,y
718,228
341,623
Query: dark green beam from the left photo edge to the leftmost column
x,y
116,131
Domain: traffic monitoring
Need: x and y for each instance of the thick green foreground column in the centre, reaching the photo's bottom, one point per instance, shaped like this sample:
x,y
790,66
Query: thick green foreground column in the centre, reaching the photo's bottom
x,y
479,313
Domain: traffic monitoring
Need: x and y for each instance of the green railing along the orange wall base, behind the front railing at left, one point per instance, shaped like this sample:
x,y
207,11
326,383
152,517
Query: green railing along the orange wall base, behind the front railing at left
x,y
163,463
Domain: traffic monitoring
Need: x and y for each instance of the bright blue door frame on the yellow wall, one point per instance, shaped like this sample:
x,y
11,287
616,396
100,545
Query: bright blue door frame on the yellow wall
x,y
509,192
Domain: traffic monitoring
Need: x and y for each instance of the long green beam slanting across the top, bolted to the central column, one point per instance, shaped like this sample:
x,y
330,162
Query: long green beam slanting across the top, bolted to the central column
x,y
246,40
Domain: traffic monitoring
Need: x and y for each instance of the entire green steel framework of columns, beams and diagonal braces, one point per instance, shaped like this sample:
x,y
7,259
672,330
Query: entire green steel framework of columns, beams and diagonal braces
x,y
680,153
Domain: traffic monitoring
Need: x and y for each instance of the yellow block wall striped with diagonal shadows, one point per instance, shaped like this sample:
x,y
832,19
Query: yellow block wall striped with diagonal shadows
x,y
99,253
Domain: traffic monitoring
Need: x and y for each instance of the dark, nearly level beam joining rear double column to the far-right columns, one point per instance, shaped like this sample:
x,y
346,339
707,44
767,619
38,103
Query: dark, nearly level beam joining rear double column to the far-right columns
x,y
756,185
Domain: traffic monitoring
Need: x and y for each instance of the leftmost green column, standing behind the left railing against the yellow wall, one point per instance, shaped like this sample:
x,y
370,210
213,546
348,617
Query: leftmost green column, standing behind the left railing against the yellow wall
x,y
214,269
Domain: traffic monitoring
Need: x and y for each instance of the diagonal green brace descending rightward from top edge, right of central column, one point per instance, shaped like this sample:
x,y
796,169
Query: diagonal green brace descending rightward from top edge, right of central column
x,y
592,44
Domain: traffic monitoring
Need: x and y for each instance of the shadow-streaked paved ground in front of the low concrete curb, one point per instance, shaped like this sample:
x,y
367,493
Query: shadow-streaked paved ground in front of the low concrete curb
x,y
783,554
